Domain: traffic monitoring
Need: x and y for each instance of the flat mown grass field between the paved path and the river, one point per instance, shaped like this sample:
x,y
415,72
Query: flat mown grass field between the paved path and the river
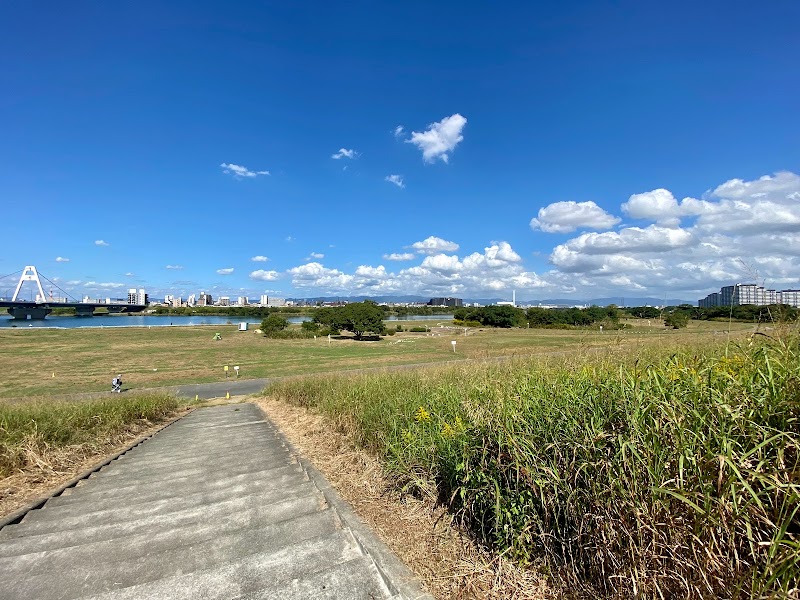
x,y
43,362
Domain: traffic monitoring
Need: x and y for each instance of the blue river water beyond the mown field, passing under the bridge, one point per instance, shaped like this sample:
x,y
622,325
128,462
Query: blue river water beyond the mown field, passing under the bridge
x,y
167,320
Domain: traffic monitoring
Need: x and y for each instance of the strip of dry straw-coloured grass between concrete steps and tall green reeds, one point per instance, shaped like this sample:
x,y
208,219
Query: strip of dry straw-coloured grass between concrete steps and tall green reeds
x,y
449,564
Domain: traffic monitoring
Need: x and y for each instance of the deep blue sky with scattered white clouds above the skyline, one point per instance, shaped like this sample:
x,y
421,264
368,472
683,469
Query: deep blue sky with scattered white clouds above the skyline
x,y
569,150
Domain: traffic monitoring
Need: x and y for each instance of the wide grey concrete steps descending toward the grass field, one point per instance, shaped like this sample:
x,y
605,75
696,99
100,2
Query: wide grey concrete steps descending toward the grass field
x,y
217,505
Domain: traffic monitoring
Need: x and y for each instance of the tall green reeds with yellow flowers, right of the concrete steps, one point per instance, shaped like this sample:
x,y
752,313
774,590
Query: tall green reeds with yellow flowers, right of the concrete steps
x,y
656,473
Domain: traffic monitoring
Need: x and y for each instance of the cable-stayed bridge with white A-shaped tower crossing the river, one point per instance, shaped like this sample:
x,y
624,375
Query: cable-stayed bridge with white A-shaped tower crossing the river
x,y
44,304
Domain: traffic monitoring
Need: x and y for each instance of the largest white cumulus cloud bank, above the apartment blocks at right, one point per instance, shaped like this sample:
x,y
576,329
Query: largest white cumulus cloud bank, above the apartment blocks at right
x,y
739,231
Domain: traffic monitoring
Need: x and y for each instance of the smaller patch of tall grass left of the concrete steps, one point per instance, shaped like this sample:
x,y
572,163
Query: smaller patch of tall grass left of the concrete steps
x,y
32,432
